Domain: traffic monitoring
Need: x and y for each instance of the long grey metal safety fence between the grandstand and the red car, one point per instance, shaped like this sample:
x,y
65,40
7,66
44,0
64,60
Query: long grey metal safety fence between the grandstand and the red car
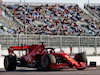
x,y
87,43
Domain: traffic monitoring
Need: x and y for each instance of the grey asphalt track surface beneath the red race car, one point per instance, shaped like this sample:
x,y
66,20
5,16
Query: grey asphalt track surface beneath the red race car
x,y
30,71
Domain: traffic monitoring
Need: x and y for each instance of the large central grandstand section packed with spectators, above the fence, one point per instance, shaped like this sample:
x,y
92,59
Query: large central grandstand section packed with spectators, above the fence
x,y
52,19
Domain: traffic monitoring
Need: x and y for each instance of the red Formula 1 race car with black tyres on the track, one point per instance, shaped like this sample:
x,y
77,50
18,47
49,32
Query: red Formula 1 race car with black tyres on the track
x,y
42,58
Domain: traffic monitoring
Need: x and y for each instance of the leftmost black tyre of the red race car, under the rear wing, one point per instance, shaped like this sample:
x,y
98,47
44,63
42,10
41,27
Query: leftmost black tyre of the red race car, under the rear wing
x,y
10,63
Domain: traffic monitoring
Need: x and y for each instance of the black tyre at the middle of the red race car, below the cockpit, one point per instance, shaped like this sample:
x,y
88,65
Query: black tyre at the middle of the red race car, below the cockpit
x,y
46,61
